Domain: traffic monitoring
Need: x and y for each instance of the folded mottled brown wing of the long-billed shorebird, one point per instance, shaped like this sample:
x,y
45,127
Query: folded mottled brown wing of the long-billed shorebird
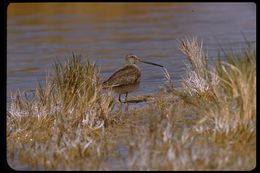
x,y
125,76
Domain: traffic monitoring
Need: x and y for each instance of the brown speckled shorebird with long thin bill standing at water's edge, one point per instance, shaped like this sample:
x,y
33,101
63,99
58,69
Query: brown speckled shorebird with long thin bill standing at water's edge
x,y
126,79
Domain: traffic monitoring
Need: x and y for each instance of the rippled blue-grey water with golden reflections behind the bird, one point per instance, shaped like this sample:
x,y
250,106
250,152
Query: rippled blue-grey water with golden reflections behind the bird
x,y
37,34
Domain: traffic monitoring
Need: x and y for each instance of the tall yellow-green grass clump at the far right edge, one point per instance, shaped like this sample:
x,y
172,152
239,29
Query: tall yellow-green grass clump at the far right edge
x,y
235,94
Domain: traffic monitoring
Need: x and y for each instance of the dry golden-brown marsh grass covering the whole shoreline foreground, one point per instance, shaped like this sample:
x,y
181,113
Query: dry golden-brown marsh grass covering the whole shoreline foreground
x,y
207,124
